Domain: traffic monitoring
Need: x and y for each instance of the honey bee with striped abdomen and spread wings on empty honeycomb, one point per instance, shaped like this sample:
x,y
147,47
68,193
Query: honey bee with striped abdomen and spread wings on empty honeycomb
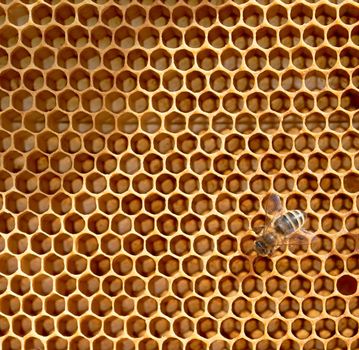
x,y
284,229
